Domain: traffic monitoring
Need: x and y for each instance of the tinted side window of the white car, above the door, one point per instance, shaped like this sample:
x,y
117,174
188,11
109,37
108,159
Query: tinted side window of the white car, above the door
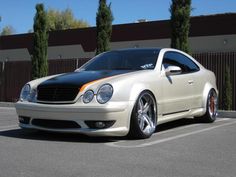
x,y
180,60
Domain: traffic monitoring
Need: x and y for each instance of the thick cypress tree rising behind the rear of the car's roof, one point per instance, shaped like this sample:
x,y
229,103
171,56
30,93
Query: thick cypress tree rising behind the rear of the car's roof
x,y
180,24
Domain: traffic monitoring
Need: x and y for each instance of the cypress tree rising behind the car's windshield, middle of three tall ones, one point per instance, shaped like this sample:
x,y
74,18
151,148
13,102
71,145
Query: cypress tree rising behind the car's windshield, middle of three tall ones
x,y
104,20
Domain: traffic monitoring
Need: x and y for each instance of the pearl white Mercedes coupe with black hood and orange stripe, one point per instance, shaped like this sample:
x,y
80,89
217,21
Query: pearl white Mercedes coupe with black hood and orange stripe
x,y
121,92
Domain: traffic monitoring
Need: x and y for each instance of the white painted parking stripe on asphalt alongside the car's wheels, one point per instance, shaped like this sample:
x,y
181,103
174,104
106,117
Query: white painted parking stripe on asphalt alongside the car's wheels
x,y
115,144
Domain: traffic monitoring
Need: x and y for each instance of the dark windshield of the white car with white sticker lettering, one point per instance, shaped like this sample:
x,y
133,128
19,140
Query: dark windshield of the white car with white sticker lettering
x,y
123,60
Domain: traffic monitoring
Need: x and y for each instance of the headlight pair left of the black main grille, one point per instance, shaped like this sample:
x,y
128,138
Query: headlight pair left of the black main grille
x,y
28,94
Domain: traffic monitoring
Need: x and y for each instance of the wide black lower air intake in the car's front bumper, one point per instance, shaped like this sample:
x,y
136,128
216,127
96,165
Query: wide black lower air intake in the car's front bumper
x,y
55,124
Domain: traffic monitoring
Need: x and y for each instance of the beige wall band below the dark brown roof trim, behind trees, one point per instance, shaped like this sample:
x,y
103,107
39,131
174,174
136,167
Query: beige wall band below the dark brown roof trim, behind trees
x,y
198,44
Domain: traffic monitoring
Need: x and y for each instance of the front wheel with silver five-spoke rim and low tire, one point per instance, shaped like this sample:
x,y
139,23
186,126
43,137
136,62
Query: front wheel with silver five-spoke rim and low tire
x,y
144,116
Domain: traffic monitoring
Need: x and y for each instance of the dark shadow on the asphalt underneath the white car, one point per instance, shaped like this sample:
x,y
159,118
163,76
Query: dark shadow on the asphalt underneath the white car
x,y
73,137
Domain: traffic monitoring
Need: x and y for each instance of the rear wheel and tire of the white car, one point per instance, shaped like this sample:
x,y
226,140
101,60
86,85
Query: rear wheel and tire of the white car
x,y
211,107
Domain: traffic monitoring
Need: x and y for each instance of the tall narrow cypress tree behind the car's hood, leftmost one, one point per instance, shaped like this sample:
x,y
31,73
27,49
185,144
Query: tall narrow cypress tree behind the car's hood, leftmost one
x,y
39,59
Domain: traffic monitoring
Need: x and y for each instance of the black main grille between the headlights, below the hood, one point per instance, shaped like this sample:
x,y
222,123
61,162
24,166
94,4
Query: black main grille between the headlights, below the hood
x,y
57,94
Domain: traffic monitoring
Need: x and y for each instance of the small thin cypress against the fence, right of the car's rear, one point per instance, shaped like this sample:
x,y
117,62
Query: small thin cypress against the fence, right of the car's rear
x,y
227,91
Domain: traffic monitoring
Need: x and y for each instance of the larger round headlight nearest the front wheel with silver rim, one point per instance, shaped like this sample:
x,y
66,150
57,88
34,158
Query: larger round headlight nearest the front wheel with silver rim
x,y
104,93
